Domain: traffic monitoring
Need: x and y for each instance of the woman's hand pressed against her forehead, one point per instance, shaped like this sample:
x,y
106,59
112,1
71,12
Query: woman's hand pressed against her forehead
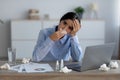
x,y
76,27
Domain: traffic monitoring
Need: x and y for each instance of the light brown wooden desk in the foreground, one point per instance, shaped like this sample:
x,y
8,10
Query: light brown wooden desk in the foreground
x,y
113,74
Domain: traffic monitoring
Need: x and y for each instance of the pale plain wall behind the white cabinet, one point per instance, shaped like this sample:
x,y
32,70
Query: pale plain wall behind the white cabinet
x,y
18,9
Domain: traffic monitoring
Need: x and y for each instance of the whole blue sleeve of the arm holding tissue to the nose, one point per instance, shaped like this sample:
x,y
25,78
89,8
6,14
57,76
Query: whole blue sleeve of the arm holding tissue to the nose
x,y
43,46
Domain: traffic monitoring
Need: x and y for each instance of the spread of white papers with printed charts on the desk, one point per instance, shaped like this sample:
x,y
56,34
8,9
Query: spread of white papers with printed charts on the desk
x,y
32,67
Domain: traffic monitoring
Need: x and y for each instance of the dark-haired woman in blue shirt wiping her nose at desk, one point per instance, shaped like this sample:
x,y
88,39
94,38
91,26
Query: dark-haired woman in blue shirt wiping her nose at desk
x,y
59,42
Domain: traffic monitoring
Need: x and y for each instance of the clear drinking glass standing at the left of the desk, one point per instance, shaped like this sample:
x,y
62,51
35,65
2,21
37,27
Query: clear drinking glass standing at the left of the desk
x,y
12,56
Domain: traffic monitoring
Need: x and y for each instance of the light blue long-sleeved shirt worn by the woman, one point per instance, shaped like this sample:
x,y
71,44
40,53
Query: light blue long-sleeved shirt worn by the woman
x,y
49,50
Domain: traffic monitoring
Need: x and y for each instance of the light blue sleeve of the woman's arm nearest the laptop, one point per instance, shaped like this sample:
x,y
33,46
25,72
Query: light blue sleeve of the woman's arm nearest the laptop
x,y
76,51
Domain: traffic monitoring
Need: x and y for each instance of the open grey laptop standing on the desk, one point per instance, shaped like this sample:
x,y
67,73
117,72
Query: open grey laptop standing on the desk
x,y
94,57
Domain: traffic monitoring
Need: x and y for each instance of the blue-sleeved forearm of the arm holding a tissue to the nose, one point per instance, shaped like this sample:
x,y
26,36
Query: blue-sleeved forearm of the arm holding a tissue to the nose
x,y
41,50
